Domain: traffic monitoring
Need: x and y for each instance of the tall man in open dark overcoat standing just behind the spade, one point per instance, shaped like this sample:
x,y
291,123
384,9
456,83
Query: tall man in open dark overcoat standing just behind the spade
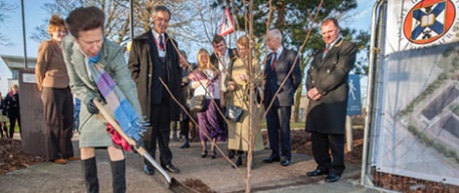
x,y
153,58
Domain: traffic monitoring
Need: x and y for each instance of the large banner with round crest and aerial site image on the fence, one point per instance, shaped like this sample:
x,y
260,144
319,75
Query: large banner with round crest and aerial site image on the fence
x,y
417,116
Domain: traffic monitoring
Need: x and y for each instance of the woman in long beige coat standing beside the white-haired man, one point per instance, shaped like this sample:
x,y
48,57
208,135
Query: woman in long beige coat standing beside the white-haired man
x,y
240,133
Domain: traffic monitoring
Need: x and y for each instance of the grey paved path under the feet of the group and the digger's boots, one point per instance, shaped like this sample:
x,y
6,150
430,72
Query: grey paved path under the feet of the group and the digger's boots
x,y
216,173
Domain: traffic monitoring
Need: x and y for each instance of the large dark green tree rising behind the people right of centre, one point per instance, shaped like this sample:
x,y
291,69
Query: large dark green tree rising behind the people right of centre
x,y
294,18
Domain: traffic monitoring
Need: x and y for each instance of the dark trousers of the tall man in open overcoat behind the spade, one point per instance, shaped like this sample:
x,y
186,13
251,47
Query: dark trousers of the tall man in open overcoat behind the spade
x,y
159,132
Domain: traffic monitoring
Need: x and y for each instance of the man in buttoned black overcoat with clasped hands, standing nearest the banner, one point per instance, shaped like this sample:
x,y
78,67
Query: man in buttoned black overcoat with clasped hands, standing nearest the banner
x,y
328,92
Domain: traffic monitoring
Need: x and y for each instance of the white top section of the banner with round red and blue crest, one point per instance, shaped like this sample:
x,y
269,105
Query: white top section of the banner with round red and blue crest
x,y
414,24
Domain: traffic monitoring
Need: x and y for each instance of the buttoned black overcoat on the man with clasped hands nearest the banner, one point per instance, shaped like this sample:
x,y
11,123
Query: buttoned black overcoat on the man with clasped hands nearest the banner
x,y
329,75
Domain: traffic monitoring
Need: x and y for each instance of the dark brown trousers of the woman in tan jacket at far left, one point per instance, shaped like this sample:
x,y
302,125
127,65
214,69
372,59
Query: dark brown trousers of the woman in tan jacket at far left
x,y
58,112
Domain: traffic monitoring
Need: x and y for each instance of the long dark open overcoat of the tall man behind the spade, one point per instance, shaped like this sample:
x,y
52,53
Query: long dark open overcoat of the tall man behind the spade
x,y
143,56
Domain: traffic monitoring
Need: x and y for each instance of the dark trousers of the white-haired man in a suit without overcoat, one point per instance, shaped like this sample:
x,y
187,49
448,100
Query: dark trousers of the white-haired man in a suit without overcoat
x,y
278,120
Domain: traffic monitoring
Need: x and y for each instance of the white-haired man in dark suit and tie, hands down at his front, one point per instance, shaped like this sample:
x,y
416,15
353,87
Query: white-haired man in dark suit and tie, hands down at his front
x,y
277,68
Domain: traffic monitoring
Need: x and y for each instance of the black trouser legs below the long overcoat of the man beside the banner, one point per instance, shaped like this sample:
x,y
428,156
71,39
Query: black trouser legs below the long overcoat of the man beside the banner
x,y
321,145
